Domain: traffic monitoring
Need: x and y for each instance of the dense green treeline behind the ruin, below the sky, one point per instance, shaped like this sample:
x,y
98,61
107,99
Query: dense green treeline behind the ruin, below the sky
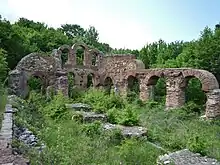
x,y
26,36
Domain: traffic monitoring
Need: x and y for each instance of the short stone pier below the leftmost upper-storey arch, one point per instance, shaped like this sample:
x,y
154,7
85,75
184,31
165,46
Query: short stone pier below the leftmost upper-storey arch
x,y
62,85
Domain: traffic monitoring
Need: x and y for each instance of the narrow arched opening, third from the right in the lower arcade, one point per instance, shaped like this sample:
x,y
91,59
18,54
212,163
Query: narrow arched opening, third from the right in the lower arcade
x,y
133,88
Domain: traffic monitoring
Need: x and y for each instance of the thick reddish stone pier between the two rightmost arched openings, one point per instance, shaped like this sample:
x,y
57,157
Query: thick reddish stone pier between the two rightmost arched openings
x,y
175,93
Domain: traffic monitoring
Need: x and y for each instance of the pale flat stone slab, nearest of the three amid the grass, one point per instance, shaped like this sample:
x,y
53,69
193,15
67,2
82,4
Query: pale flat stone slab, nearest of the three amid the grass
x,y
126,131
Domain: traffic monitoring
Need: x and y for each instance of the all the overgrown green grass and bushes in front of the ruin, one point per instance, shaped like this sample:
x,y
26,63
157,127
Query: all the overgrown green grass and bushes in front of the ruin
x,y
71,142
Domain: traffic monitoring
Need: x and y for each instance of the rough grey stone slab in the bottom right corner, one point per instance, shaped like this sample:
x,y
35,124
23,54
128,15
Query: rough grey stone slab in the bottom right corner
x,y
185,157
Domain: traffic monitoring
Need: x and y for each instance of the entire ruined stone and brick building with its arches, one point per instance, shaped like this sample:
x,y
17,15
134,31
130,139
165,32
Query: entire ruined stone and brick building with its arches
x,y
117,70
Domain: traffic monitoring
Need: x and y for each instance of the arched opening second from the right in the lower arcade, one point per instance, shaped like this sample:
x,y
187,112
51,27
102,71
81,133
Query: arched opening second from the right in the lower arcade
x,y
157,89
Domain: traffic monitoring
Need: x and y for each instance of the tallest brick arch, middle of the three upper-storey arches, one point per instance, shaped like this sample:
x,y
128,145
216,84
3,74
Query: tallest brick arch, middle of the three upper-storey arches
x,y
86,52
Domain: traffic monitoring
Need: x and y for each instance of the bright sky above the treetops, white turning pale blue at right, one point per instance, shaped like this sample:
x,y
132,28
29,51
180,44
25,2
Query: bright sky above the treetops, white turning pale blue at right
x,y
122,23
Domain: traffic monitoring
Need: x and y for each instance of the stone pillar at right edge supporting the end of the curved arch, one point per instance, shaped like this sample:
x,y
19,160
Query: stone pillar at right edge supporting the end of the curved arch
x,y
213,104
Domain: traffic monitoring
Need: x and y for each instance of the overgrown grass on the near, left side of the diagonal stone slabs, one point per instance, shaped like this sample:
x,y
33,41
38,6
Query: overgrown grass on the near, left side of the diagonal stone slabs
x,y
70,142
